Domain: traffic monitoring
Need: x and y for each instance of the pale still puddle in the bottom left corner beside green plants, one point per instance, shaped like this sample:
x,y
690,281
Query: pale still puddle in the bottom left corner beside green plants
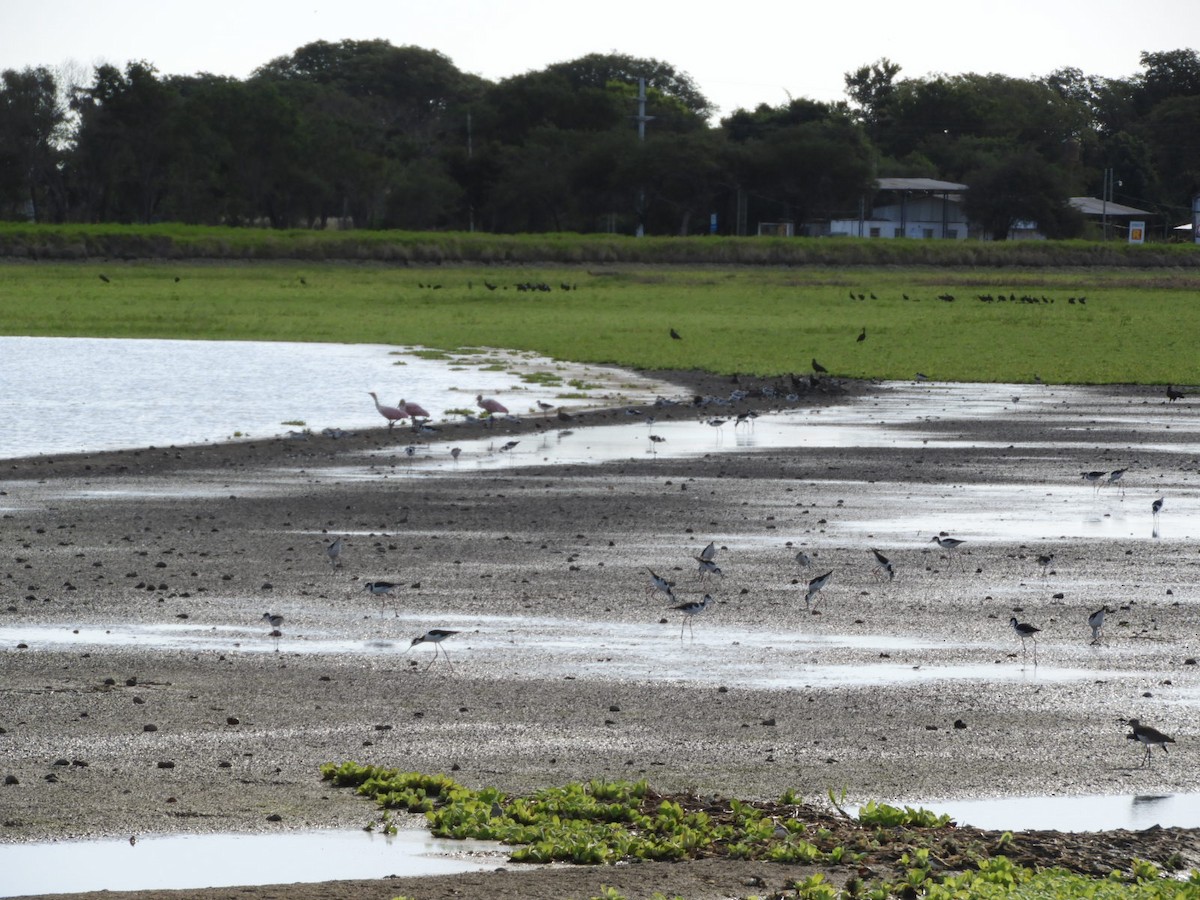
x,y
203,861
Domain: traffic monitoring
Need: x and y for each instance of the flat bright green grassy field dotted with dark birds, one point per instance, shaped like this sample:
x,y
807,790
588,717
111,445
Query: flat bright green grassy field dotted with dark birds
x,y
1127,325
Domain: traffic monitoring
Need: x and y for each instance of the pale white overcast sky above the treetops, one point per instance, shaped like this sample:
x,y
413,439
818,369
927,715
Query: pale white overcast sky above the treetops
x,y
740,55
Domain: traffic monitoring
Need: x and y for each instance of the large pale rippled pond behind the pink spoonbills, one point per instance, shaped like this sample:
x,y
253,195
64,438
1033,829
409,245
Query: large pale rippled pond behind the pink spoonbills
x,y
80,394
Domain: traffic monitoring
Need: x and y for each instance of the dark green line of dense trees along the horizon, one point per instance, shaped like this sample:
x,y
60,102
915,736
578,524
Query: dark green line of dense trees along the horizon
x,y
377,136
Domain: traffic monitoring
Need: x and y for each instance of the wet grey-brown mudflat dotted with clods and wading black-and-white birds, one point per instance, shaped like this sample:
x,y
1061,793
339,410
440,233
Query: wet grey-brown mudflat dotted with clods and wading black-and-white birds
x,y
143,693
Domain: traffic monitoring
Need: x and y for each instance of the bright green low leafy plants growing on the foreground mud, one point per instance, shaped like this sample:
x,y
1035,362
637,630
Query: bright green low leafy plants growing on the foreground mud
x,y
915,853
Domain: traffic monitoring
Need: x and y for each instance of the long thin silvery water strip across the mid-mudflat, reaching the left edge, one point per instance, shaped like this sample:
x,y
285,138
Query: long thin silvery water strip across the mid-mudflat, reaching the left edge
x,y
711,653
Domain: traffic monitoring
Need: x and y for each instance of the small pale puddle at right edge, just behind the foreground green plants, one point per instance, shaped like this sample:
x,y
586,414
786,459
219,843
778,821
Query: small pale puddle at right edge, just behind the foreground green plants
x,y
1075,814
